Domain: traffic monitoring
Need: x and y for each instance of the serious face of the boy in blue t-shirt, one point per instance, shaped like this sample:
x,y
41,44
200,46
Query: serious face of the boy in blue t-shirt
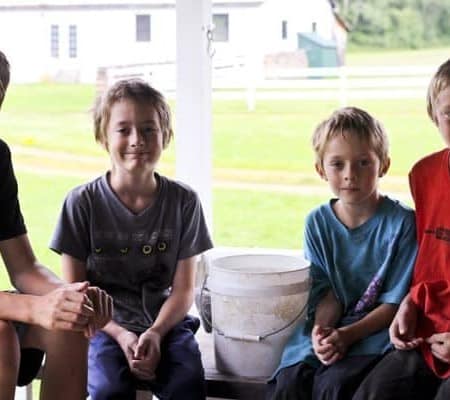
x,y
352,170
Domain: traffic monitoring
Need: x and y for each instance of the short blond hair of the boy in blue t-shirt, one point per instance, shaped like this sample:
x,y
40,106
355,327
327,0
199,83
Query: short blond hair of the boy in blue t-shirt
x,y
351,121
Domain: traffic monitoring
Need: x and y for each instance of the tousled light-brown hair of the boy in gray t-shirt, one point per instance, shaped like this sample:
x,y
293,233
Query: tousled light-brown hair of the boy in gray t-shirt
x,y
136,90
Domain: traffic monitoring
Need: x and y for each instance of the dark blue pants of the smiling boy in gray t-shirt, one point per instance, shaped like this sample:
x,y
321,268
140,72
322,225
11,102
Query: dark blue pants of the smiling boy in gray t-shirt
x,y
179,376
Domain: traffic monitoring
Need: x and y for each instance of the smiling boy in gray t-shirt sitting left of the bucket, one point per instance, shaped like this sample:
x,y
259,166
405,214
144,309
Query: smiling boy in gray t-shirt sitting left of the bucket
x,y
136,234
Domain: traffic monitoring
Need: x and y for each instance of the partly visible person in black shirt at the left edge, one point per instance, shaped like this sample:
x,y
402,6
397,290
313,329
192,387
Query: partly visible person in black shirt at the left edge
x,y
45,316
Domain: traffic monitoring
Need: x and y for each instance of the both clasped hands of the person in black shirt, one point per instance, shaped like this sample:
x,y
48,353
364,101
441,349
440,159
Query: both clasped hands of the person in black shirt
x,y
75,307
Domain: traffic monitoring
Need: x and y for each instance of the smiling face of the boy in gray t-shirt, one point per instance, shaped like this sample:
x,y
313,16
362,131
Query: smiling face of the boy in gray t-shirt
x,y
134,138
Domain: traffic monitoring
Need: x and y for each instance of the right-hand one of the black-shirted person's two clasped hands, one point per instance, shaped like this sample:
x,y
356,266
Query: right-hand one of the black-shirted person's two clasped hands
x,y
103,307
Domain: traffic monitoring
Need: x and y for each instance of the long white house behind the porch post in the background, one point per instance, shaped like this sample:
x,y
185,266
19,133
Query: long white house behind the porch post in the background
x,y
68,40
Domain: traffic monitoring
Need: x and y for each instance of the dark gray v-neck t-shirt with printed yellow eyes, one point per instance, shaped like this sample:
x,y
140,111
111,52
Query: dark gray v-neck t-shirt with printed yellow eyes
x,y
132,256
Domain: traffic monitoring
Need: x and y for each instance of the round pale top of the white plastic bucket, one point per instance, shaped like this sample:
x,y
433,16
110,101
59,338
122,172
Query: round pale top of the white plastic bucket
x,y
259,263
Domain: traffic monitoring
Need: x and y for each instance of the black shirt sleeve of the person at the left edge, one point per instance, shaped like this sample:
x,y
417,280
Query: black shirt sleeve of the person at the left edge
x,y
11,219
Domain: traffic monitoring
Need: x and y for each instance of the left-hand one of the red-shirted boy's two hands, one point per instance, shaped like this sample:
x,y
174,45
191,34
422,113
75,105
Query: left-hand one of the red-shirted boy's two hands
x,y
403,326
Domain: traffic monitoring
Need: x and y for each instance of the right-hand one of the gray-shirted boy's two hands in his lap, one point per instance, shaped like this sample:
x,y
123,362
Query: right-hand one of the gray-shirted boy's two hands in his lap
x,y
147,355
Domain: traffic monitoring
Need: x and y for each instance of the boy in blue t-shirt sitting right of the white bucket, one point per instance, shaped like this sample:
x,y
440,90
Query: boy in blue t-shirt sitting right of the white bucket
x,y
361,246
